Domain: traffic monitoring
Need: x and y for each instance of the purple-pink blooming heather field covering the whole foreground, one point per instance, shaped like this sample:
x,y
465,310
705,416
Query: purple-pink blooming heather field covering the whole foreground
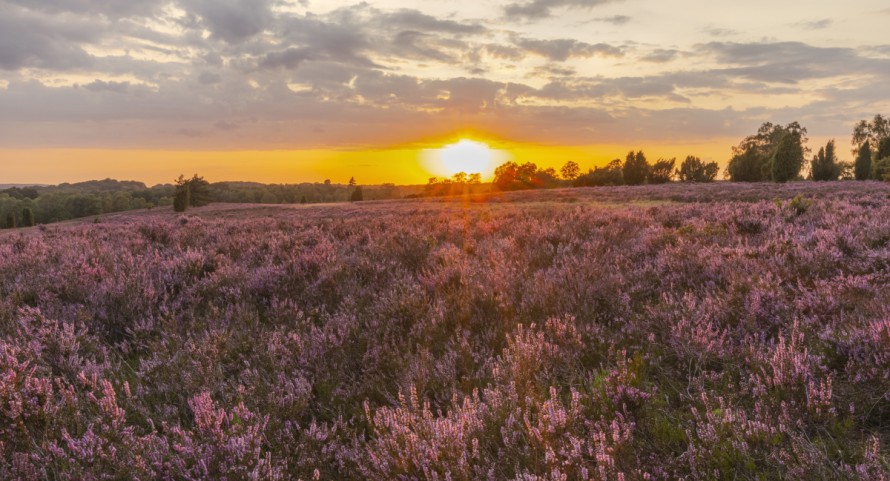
x,y
723,331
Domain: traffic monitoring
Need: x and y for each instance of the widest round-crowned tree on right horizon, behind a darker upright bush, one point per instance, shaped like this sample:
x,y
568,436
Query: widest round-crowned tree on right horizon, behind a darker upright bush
x,y
752,158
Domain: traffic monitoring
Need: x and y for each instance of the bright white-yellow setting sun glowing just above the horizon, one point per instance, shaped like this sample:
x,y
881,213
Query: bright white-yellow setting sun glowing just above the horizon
x,y
467,156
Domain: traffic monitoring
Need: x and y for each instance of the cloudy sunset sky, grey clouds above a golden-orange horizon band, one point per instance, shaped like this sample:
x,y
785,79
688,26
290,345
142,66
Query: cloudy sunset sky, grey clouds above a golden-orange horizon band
x,y
304,90
